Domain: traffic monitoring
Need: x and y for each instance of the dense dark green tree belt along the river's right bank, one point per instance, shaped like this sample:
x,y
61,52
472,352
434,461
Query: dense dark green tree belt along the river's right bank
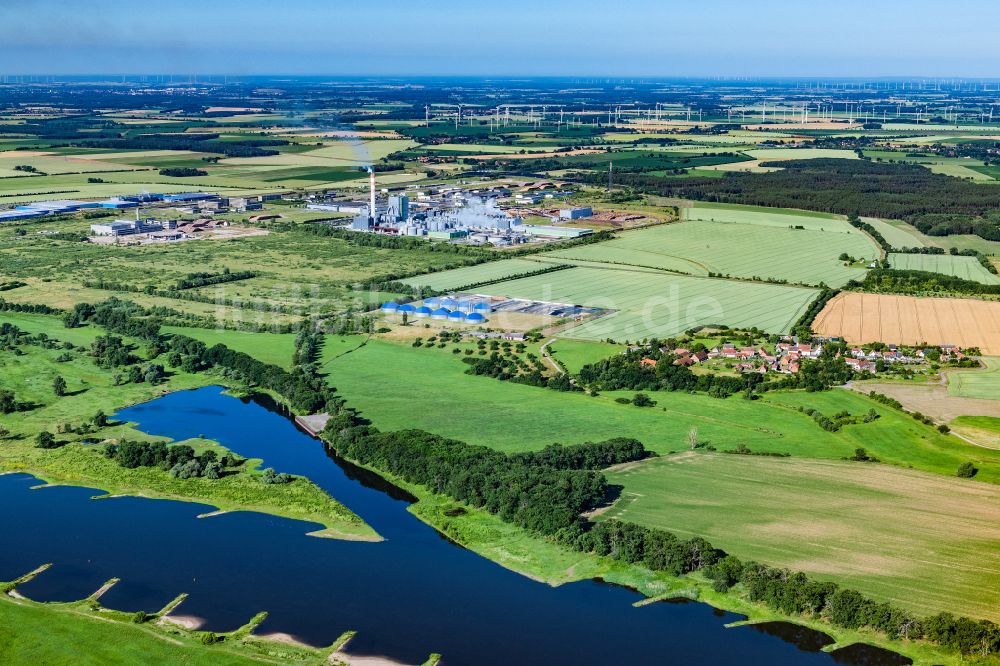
x,y
547,491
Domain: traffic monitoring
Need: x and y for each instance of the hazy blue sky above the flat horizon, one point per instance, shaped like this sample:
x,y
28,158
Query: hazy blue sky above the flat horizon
x,y
500,38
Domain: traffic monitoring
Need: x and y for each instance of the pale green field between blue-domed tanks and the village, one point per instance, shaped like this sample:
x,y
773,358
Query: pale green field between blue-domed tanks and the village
x,y
648,304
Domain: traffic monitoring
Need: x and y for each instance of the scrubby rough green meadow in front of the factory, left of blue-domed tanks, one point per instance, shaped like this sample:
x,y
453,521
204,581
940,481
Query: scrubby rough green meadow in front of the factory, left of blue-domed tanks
x,y
299,271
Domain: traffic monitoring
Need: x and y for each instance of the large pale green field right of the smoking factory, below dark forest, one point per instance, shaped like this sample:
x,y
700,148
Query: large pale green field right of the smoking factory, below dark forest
x,y
741,249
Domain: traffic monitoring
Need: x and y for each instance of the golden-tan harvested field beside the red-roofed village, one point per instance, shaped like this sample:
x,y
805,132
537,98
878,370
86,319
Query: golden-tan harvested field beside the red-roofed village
x,y
860,318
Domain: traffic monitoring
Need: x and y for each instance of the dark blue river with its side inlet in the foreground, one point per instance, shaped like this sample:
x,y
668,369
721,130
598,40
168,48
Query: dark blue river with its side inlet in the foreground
x,y
410,595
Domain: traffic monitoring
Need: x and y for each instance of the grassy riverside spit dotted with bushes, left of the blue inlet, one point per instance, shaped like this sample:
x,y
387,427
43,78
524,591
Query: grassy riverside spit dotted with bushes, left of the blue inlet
x,y
30,376
